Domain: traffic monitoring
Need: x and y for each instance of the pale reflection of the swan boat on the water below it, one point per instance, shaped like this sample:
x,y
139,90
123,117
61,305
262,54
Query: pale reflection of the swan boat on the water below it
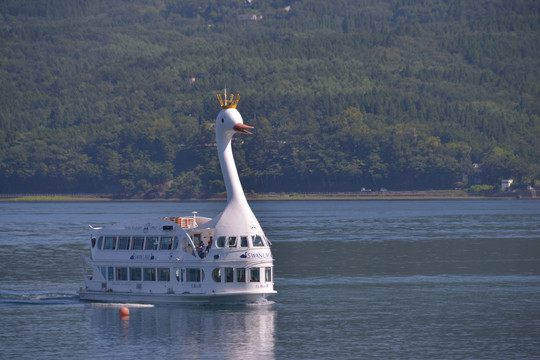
x,y
224,332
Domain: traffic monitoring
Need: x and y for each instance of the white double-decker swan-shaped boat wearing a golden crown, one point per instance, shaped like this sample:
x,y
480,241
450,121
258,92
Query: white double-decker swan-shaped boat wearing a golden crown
x,y
187,259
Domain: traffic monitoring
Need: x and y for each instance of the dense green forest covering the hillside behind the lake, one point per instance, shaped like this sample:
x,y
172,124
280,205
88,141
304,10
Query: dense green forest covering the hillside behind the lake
x,y
119,96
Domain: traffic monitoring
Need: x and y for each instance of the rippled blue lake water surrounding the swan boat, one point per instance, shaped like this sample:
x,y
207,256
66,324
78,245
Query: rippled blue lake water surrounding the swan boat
x,y
355,279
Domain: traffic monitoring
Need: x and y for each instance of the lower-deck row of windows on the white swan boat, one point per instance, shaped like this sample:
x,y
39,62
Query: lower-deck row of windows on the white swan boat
x,y
188,274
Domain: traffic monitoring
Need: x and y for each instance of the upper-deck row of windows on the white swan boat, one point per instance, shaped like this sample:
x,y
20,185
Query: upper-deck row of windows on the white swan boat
x,y
169,242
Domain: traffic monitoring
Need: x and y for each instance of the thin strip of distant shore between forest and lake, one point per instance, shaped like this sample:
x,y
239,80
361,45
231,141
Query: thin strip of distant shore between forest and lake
x,y
364,195
